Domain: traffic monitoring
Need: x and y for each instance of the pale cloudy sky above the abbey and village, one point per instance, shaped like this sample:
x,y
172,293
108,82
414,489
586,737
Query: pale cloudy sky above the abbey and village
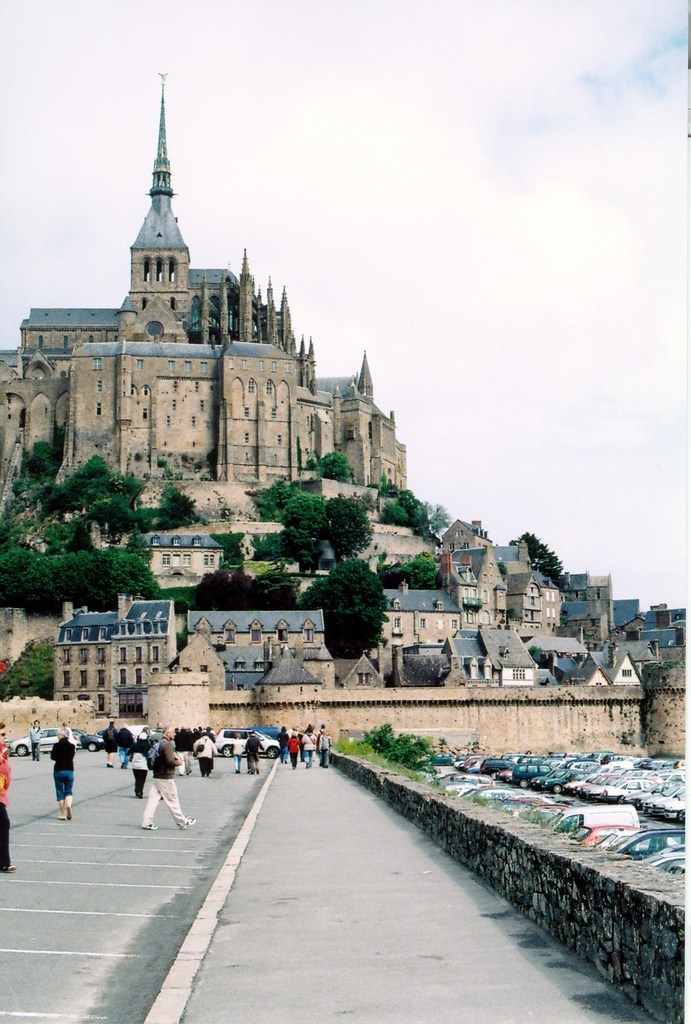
x,y
491,199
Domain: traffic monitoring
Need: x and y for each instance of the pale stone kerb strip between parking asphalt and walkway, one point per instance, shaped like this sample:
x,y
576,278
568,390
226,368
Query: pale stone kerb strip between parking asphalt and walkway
x,y
177,990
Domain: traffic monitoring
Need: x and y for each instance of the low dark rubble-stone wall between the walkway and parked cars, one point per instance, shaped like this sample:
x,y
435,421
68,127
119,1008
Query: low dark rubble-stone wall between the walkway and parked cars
x,y
627,919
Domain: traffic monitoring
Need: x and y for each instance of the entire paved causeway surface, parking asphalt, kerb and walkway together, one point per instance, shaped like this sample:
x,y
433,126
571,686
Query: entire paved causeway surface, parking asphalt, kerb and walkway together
x,y
298,897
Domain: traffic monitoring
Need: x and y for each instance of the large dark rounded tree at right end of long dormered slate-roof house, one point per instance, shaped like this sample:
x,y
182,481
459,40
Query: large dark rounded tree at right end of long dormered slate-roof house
x,y
354,605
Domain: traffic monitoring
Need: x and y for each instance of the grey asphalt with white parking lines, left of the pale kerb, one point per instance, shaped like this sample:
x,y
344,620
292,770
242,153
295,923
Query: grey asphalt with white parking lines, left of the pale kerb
x,y
98,910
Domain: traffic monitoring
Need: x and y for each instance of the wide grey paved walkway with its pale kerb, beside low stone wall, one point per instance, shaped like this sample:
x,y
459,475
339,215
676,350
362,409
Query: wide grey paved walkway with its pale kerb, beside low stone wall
x,y
331,907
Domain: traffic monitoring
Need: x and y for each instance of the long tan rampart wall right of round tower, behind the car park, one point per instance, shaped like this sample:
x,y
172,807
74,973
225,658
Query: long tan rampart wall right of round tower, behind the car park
x,y
569,718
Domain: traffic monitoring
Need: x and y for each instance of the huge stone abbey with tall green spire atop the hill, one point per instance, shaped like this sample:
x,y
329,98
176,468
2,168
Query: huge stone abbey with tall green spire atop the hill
x,y
193,376
